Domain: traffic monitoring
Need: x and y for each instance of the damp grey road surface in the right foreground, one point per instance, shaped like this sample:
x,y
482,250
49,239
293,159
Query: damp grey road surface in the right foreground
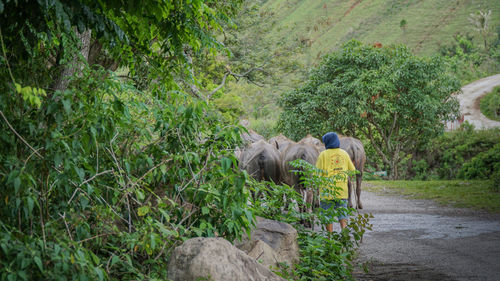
x,y
420,240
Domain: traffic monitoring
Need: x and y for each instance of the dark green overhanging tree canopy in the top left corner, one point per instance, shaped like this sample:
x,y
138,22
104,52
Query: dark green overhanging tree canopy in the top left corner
x,y
147,37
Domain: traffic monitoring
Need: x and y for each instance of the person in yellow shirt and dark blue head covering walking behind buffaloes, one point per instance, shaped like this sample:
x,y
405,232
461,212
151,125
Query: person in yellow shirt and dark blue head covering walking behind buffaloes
x,y
334,161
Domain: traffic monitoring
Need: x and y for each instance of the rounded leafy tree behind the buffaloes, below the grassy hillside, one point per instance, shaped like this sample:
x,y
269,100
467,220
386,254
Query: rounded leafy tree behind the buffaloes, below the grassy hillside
x,y
387,95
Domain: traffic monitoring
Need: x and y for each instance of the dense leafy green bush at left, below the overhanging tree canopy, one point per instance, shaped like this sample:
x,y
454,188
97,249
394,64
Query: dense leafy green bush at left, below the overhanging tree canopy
x,y
112,180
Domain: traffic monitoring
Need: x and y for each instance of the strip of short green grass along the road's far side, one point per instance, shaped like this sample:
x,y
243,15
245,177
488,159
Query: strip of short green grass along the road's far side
x,y
475,194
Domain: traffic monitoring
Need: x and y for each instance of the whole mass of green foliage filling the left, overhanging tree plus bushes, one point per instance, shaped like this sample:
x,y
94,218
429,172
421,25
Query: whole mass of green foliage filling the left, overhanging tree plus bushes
x,y
103,173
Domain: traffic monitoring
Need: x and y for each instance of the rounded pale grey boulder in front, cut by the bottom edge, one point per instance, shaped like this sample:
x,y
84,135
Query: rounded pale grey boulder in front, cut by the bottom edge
x,y
215,259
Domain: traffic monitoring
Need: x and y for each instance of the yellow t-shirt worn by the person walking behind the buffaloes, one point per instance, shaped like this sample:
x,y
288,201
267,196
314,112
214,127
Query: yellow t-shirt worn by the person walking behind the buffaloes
x,y
334,161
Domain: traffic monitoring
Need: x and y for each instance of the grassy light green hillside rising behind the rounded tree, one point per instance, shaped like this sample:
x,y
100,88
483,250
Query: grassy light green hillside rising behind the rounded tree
x,y
288,37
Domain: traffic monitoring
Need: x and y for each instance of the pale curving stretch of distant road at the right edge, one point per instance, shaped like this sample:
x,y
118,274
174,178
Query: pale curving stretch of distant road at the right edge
x,y
469,101
